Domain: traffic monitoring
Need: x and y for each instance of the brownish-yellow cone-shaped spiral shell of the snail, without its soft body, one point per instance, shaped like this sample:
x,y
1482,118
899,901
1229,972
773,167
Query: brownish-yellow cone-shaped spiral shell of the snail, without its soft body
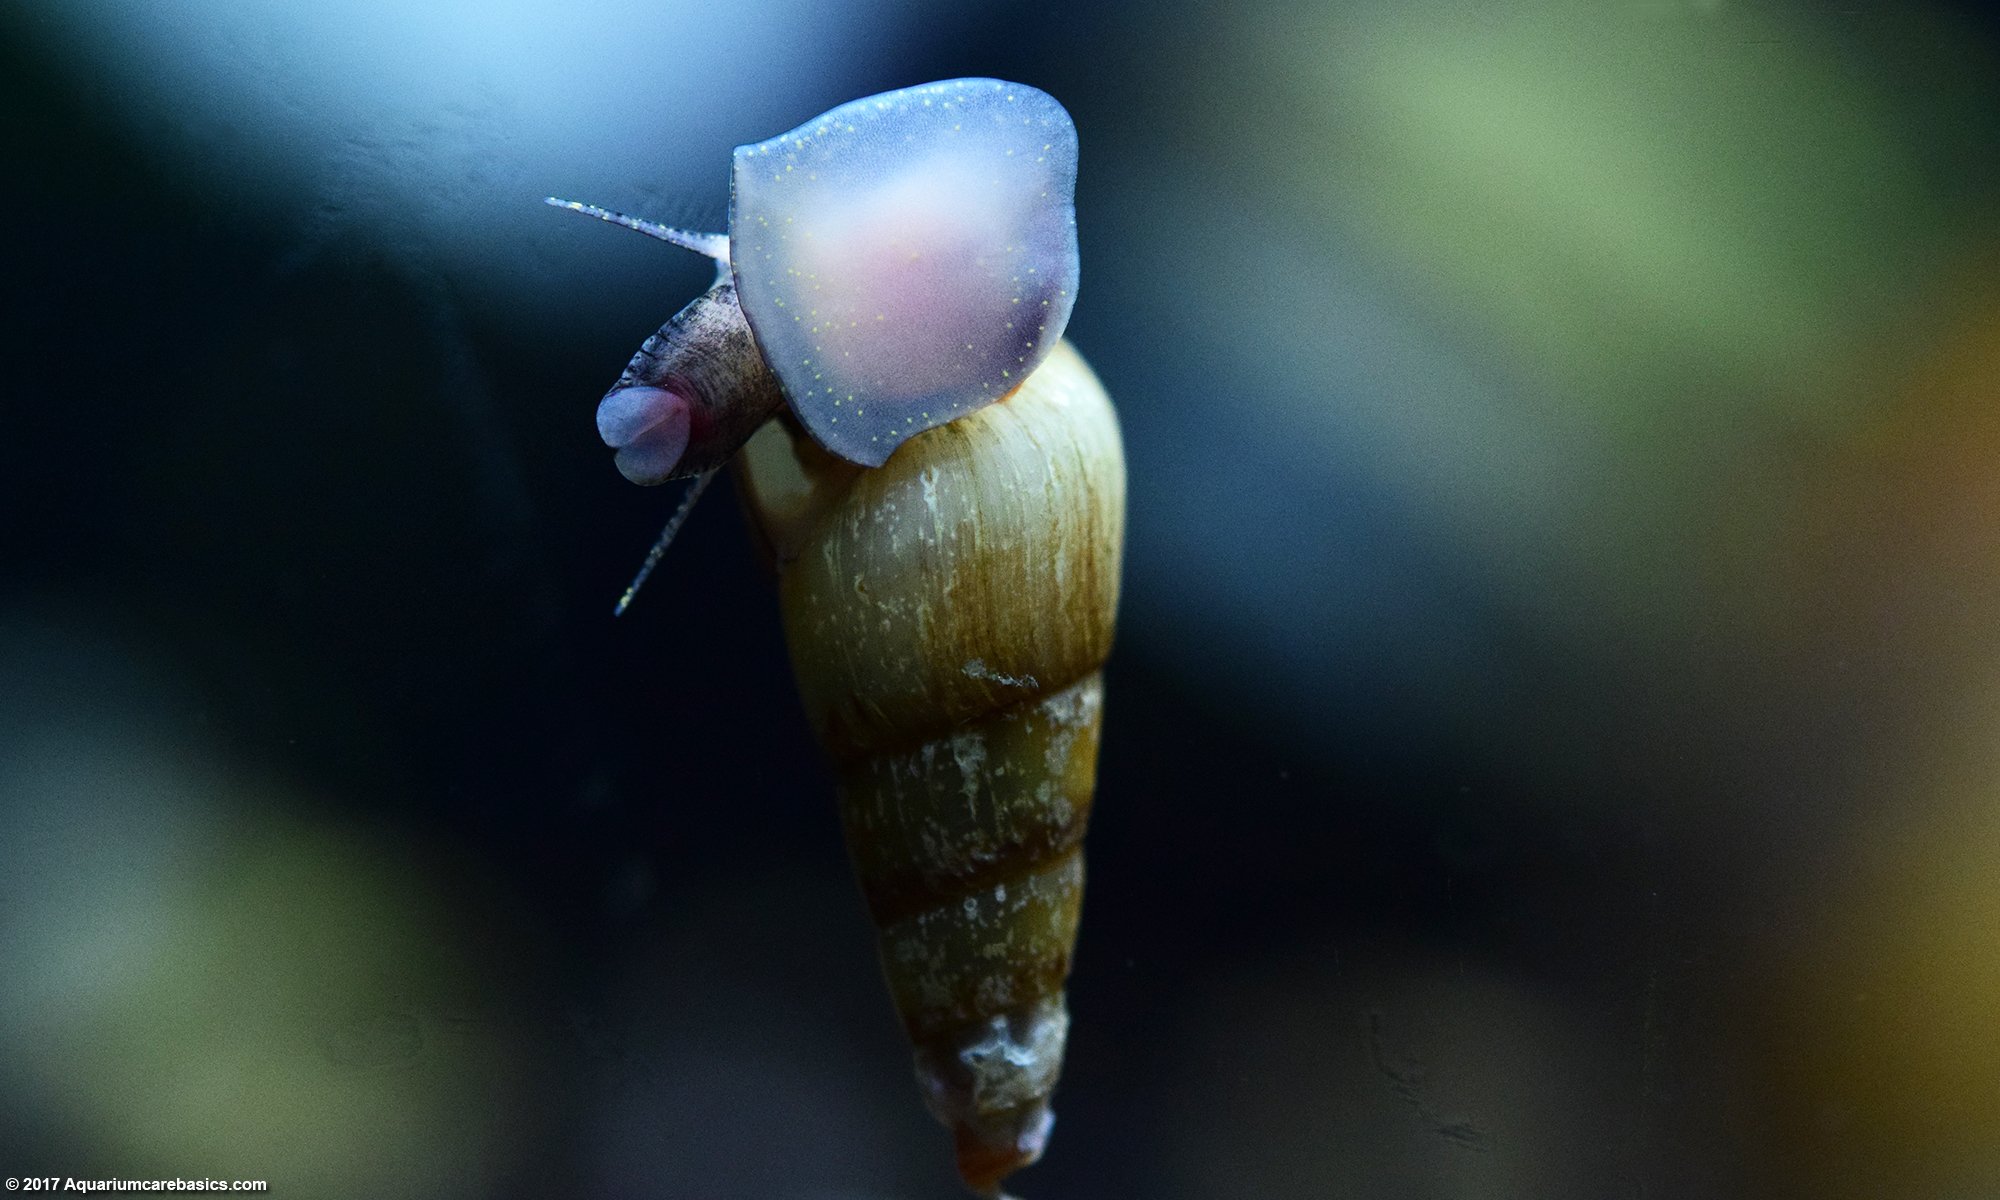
x,y
949,617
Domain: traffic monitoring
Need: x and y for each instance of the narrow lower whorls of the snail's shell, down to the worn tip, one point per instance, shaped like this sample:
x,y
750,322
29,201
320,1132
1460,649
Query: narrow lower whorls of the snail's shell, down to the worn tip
x,y
971,855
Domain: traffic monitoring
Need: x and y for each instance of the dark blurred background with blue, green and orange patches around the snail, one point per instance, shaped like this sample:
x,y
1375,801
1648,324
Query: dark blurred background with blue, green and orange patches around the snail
x,y
1553,747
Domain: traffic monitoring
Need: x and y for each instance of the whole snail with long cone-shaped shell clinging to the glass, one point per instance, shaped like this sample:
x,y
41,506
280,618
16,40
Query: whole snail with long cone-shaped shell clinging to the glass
x,y
943,497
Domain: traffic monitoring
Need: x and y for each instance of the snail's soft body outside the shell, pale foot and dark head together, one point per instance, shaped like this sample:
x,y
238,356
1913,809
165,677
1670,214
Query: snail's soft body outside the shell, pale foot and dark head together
x,y
903,261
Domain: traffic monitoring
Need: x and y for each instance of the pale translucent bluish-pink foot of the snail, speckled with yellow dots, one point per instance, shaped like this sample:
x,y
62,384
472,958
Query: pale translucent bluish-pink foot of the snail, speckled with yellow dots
x,y
907,259
